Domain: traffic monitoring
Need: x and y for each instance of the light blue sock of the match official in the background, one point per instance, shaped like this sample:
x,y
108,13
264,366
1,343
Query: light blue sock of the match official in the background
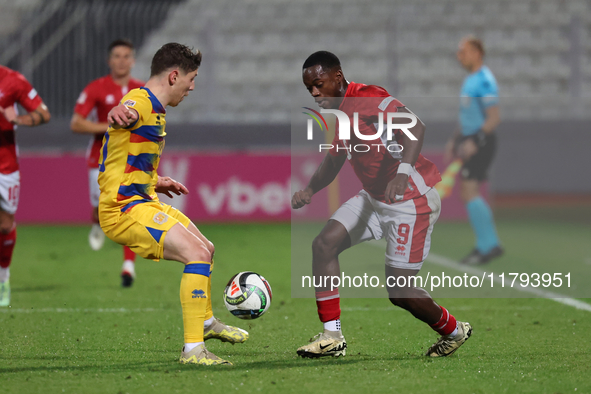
x,y
482,222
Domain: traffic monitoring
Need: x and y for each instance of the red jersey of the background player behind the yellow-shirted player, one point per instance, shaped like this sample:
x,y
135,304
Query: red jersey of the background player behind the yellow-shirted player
x,y
95,101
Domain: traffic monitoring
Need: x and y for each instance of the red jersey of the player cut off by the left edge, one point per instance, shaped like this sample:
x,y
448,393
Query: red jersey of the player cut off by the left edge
x,y
14,88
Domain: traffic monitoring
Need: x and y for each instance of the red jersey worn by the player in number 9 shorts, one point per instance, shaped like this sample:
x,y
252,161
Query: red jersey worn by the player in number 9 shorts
x,y
373,163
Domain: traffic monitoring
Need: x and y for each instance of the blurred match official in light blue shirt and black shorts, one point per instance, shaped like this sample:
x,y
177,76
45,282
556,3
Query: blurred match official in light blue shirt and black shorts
x,y
475,144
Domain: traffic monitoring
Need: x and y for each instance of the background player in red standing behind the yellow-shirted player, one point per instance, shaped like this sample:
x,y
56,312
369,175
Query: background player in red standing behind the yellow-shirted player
x,y
90,117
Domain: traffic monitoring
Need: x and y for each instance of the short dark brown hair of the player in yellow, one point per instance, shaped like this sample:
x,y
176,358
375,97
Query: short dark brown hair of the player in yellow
x,y
175,55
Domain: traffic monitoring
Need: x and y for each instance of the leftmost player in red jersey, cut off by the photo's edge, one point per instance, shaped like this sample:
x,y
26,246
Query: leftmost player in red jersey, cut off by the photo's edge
x,y
14,88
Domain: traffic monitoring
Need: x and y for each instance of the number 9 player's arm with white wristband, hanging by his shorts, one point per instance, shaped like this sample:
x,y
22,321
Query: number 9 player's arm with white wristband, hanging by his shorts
x,y
396,187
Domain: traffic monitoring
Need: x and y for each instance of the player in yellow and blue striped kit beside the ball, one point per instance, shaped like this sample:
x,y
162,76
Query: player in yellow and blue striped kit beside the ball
x,y
130,212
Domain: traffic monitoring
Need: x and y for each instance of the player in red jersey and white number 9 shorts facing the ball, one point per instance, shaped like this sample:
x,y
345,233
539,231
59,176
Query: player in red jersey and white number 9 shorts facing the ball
x,y
398,203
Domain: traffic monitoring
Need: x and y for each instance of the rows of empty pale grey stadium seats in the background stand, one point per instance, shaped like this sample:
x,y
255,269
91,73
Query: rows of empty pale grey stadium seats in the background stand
x,y
413,49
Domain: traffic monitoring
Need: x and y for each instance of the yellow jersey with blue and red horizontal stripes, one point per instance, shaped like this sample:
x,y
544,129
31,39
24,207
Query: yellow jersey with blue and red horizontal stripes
x,y
129,157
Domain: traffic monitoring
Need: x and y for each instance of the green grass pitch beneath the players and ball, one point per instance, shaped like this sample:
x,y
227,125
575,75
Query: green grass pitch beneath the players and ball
x,y
73,329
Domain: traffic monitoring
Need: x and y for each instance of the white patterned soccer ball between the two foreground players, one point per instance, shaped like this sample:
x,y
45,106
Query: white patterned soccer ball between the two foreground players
x,y
247,295
